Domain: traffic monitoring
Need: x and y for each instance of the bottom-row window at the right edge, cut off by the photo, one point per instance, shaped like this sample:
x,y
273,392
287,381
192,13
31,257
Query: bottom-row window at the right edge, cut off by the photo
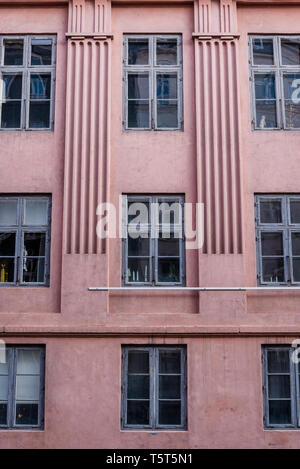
x,y
281,377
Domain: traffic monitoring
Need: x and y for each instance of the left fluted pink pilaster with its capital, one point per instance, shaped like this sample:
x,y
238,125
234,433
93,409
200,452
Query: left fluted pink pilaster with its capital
x,y
87,123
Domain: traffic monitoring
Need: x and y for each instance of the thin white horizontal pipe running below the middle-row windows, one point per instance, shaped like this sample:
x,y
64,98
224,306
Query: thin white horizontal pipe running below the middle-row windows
x,y
194,288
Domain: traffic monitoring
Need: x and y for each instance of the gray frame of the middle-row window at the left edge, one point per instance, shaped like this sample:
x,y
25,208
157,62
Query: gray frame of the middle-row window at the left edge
x,y
19,229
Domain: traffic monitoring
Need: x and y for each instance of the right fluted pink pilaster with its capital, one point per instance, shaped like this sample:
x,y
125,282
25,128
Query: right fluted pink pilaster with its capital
x,y
217,109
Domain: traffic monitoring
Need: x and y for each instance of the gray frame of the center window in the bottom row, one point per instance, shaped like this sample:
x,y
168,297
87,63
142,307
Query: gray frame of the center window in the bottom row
x,y
154,390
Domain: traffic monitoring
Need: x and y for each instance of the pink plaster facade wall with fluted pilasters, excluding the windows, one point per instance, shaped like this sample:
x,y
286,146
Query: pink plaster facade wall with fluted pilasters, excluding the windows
x,y
88,158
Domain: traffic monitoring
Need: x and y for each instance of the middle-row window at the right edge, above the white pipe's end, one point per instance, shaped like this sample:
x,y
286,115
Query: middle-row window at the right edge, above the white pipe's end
x,y
278,239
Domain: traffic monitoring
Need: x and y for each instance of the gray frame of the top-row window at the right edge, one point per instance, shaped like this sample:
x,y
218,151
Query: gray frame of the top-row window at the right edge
x,y
278,69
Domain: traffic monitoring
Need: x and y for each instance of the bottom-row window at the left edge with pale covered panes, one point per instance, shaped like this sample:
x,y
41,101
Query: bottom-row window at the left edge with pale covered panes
x,y
22,388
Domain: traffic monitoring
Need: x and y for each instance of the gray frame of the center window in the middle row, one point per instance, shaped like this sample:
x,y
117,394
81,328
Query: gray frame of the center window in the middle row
x,y
153,254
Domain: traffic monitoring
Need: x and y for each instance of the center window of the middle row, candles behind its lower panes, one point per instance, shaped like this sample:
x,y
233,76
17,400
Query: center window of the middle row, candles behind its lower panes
x,y
153,244
